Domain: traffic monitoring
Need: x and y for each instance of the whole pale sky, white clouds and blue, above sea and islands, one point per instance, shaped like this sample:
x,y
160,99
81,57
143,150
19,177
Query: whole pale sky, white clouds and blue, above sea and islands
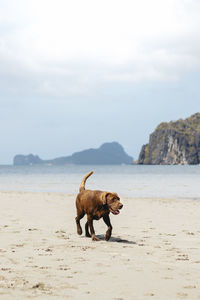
x,y
75,74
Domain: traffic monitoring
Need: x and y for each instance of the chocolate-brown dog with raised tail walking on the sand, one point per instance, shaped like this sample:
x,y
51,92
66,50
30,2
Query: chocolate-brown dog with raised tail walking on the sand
x,y
96,204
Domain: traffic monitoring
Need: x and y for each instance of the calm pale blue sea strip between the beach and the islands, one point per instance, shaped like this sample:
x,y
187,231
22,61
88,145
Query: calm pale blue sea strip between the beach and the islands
x,y
137,181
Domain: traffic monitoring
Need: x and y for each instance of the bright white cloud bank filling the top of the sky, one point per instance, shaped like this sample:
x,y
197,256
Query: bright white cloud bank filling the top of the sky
x,y
67,47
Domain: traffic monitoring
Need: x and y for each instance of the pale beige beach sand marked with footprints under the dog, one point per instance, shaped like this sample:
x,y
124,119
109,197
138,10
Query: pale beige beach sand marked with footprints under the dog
x,y
153,253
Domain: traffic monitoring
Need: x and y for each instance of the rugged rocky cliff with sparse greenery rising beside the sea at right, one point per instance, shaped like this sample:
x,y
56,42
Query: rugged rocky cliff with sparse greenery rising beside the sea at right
x,y
176,142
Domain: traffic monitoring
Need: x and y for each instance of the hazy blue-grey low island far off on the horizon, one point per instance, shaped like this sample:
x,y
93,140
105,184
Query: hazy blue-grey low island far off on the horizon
x,y
107,154
